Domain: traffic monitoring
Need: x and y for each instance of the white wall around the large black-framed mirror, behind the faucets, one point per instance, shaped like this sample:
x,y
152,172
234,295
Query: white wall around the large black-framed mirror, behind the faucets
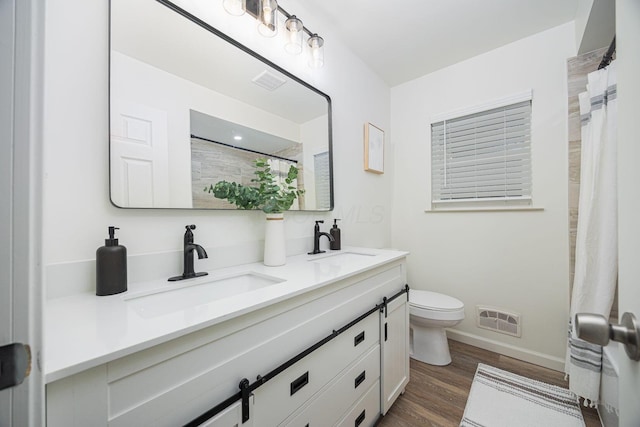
x,y
77,210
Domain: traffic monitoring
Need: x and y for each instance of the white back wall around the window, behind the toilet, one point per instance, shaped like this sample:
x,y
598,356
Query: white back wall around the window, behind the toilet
x,y
513,260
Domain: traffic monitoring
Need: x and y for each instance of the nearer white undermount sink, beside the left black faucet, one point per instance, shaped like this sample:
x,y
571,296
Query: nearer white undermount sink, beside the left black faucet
x,y
196,292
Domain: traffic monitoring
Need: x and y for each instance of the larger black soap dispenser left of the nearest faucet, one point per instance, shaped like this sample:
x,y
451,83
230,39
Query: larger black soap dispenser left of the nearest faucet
x,y
111,266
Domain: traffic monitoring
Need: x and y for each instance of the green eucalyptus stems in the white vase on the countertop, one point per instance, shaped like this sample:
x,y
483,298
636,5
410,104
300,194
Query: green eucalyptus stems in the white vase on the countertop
x,y
265,194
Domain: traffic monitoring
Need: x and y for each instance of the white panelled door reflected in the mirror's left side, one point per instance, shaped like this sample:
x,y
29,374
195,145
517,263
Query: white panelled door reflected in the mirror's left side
x,y
139,156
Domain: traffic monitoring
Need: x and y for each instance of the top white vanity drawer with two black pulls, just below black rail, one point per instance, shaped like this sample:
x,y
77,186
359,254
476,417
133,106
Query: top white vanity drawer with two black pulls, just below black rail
x,y
286,392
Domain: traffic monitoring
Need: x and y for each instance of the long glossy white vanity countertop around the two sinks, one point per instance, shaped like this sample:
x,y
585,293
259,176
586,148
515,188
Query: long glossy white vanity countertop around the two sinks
x,y
83,331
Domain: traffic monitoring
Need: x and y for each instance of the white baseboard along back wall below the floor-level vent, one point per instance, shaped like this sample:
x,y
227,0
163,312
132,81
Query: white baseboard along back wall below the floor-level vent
x,y
540,359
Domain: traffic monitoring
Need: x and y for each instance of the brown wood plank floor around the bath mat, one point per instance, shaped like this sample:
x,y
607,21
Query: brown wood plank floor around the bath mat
x,y
436,395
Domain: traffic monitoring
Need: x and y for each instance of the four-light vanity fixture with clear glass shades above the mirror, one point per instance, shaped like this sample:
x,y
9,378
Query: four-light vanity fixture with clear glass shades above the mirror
x,y
266,13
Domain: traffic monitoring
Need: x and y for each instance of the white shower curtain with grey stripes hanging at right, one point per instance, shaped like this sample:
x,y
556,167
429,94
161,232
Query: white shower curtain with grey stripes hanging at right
x,y
596,265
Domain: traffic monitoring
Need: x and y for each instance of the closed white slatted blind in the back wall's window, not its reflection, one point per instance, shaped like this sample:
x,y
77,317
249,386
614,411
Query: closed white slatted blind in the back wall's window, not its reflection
x,y
482,156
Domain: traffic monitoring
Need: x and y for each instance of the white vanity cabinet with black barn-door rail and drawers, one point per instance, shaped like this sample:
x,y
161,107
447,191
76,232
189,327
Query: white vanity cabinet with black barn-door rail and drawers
x,y
350,379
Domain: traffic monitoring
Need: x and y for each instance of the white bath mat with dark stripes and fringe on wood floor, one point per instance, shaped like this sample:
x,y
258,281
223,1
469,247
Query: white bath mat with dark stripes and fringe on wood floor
x,y
502,399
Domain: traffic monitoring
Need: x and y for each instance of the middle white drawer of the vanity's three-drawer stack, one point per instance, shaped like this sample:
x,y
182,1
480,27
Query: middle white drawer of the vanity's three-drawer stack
x,y
334,401
